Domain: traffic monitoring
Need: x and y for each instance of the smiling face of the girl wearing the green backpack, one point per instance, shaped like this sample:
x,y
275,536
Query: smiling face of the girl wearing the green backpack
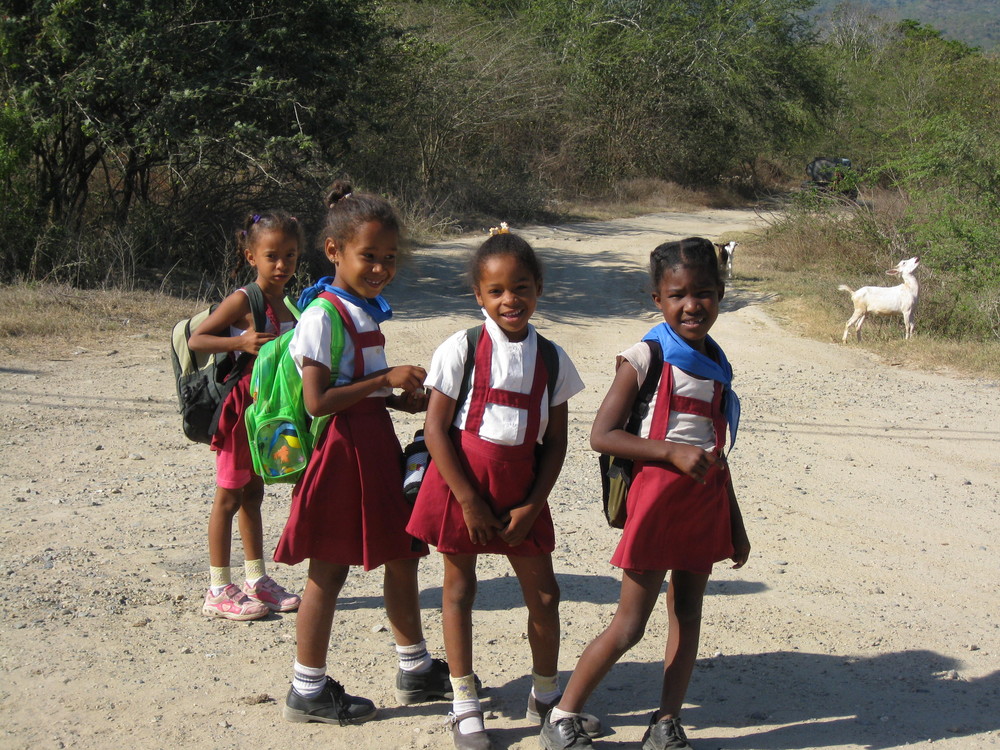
x,y
366,262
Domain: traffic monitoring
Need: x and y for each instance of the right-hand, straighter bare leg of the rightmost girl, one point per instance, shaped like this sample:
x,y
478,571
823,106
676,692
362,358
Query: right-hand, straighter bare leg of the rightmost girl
x,y
684,600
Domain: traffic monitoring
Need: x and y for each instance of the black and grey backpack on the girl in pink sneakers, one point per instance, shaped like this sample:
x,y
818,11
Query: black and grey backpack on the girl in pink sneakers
x,y
203,379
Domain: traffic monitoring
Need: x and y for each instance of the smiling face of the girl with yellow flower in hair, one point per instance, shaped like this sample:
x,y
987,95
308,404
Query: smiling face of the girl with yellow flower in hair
x,y
509,293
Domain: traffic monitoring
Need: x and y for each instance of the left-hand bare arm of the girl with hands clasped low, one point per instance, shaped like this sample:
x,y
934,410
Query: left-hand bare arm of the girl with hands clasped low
x,y
480,520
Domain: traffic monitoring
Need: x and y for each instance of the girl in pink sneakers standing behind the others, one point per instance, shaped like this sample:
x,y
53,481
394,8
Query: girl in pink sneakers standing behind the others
x,y
270,242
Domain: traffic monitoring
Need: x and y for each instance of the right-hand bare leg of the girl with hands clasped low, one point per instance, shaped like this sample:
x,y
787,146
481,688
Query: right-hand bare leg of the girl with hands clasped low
x,y
541,597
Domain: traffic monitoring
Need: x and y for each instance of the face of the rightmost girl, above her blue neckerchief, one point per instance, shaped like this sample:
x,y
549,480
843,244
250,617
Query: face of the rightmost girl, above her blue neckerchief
x,y
689,299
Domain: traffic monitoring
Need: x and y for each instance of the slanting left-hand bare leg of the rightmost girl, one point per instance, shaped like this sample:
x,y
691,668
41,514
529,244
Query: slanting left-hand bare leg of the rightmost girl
x,y
638,597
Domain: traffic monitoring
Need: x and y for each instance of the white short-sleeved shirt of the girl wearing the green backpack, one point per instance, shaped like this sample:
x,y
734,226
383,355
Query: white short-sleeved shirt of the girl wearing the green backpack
x,y
312,340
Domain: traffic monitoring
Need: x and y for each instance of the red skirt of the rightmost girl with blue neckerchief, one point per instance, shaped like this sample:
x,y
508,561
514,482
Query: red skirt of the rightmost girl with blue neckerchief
x,y
675,523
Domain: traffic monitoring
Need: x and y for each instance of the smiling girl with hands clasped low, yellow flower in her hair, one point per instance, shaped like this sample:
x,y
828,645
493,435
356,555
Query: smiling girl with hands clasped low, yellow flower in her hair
x,y
497,447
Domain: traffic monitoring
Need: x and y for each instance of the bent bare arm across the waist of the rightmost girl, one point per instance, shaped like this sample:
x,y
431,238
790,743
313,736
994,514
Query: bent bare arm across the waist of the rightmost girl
x,y
609,436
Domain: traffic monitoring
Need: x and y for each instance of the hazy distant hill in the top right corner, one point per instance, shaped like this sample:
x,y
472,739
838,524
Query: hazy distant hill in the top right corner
x,y
975,22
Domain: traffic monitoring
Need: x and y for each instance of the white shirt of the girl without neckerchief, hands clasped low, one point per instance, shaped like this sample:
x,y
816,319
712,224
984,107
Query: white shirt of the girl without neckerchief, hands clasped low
x,y
512,369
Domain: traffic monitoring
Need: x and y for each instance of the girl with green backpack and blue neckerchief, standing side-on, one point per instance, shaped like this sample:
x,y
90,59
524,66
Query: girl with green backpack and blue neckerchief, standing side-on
x,y
348,508
